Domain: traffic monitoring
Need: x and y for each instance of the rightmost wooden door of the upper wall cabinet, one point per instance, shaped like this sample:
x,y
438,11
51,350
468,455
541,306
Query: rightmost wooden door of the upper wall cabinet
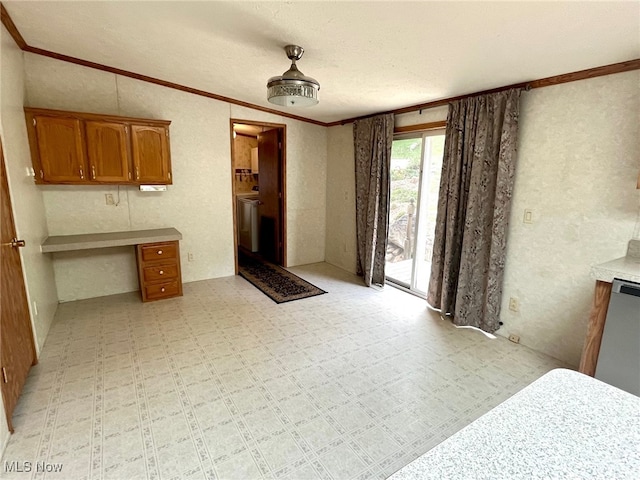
x,y
151,159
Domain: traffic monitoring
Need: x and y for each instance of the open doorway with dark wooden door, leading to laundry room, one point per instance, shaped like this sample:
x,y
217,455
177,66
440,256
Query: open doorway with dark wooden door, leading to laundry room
x,y
258,161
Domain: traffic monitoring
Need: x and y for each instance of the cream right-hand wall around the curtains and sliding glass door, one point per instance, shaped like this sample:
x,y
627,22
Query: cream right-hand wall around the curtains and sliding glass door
x,y
578,163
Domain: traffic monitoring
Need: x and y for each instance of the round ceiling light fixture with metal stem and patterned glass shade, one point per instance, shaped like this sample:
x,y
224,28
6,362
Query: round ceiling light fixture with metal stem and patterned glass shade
x,y
293,88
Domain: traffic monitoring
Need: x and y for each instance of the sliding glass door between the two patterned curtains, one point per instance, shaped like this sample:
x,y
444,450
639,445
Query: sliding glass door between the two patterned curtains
x,y
416,162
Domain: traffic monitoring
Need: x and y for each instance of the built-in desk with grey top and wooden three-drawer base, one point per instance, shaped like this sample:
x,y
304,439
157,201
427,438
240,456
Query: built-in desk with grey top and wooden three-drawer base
x,y
157,256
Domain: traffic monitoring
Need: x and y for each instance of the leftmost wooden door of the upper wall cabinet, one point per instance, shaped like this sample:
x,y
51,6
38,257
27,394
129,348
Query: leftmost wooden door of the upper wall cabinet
x,y
61,149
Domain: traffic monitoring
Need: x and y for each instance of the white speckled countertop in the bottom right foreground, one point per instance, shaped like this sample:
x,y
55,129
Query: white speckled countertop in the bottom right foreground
x,y
563,425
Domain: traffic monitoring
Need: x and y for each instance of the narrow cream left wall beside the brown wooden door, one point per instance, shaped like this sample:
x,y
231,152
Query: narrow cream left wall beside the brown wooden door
x,y
27,200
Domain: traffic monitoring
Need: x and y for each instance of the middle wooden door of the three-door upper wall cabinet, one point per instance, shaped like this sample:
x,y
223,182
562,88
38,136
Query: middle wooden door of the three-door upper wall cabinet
x,y
108,152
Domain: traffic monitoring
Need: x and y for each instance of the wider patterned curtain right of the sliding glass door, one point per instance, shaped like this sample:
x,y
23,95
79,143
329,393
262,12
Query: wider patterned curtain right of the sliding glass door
x,y
473,208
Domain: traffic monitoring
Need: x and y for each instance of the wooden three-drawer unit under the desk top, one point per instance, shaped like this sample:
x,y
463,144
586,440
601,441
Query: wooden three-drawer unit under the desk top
x,y
159,270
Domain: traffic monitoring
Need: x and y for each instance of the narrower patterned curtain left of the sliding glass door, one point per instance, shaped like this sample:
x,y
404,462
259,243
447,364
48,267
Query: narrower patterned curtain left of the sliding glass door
x,y
372,139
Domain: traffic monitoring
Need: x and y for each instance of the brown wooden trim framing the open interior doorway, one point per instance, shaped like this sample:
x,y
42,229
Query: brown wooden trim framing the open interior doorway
x,y
283,182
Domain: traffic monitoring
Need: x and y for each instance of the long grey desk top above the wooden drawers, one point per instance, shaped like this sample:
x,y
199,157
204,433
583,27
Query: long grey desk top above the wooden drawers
x,y
66,243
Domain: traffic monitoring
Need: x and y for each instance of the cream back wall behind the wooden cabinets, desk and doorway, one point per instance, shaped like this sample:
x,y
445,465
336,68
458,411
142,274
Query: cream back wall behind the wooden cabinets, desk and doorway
x,y
199,203
